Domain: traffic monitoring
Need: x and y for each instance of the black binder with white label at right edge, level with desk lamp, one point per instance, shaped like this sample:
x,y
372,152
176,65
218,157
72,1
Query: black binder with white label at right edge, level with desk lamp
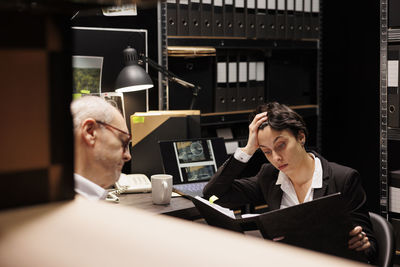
x,y
393,86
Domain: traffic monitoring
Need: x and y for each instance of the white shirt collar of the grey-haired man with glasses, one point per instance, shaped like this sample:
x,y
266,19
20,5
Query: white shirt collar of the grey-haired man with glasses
x,y
88,189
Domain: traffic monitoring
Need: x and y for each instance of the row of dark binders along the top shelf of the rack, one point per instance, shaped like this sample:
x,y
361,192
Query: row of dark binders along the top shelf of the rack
x,y
260,19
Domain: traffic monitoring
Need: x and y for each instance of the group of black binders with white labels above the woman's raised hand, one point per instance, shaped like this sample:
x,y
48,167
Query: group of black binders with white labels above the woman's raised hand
x,y
240,81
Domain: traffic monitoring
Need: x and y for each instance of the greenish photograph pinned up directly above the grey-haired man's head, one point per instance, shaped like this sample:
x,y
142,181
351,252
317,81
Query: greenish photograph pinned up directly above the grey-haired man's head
x,y
86,71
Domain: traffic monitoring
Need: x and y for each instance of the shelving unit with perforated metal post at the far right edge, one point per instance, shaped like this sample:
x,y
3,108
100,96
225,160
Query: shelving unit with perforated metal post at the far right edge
x,y
390,136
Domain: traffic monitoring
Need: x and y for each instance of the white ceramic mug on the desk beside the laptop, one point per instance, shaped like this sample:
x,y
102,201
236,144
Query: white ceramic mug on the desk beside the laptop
x,y
161,188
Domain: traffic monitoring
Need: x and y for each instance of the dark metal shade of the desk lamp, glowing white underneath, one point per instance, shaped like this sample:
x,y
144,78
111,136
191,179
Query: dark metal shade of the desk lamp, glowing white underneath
x,y
132,77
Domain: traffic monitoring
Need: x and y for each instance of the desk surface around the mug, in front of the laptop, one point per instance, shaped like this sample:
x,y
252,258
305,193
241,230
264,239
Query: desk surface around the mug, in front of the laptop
x,y
178,207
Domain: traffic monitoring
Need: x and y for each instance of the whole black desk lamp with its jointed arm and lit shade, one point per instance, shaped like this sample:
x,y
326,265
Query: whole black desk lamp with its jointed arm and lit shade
x,y
134,78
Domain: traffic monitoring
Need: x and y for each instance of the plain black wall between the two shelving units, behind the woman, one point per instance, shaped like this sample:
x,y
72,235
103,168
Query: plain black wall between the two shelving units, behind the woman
x,y
350,89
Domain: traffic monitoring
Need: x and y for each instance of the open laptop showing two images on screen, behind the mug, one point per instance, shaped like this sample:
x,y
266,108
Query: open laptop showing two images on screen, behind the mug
x,y
192,162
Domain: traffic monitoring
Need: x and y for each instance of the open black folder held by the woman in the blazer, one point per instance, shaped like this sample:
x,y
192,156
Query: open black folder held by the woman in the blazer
x,y
321,225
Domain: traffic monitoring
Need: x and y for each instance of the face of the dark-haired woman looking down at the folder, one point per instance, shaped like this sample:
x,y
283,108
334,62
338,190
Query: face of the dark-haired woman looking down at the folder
x,y
282,149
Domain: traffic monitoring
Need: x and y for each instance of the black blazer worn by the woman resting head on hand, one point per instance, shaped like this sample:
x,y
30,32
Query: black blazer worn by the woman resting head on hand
x,y
261,189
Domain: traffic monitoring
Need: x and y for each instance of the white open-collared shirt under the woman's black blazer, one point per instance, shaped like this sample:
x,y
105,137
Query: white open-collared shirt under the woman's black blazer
x,y
289,196
